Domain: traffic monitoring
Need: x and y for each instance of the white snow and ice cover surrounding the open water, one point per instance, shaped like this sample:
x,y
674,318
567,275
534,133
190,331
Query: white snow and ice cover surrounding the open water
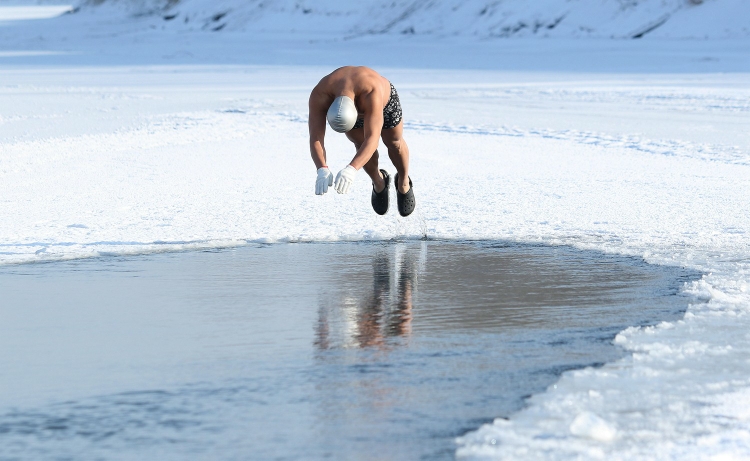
x,y
120,138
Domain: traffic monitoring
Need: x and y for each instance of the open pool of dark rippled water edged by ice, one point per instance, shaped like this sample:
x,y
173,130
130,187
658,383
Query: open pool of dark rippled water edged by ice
x,y
303,351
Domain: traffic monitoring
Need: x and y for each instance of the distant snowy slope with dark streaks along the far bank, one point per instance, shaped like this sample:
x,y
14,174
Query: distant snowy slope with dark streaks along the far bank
x,y
481,18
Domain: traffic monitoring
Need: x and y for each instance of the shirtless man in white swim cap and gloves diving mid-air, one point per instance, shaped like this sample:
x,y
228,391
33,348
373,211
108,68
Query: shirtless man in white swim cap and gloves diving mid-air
x,y
364,105
